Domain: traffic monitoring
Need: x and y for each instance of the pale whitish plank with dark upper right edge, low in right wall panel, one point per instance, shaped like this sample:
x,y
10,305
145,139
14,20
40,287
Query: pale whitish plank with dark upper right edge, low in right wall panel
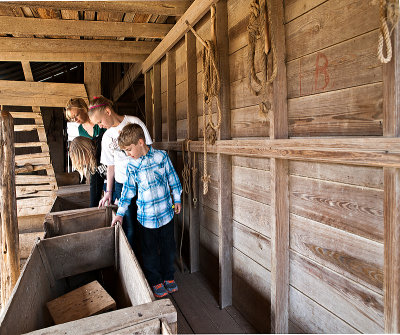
x,y
355,304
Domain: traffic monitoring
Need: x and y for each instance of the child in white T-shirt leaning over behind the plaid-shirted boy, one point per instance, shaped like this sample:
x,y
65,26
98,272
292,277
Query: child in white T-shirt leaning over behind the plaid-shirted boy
x,y
101,112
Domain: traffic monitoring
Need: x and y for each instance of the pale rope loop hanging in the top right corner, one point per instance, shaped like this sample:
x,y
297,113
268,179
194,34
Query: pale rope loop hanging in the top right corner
x,y
389,13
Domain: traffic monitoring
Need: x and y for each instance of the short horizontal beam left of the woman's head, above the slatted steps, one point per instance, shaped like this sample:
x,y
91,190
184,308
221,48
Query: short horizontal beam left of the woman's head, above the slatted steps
x,y
21,93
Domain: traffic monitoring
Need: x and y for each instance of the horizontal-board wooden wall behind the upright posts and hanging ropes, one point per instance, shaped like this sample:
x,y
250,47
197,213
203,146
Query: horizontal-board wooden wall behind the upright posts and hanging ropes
x,y
336,219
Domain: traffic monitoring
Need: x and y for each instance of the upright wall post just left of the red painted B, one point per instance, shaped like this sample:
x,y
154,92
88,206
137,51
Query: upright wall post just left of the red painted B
x,y
279,183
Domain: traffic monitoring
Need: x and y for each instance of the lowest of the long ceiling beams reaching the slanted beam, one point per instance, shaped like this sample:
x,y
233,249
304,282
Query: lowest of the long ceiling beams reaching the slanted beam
x,y
70,50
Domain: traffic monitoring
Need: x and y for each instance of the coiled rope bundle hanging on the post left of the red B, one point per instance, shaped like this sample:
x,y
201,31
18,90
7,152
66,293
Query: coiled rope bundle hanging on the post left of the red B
x,y
258,29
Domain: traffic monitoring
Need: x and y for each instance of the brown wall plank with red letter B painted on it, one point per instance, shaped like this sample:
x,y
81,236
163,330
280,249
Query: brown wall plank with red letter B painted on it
x,y
347,64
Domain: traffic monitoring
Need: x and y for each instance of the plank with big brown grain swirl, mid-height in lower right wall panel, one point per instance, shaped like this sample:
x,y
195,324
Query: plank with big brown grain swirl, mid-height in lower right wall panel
x,y
352,256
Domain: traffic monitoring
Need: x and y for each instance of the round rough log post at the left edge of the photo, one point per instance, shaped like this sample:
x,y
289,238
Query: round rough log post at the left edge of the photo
x,y
9,222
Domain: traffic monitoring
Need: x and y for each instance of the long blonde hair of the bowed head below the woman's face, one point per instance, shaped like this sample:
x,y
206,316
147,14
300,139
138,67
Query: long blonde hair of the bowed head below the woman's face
x,y
82,151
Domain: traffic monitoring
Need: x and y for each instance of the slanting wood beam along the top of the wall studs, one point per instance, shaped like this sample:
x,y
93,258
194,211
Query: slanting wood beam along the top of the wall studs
x,y
194,13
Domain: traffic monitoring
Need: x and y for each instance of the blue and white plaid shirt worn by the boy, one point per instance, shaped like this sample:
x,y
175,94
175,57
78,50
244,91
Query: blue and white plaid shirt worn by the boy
x,y
154,175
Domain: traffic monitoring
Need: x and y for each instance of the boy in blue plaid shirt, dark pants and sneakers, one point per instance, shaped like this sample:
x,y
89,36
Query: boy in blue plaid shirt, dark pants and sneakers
x,y
152,171
